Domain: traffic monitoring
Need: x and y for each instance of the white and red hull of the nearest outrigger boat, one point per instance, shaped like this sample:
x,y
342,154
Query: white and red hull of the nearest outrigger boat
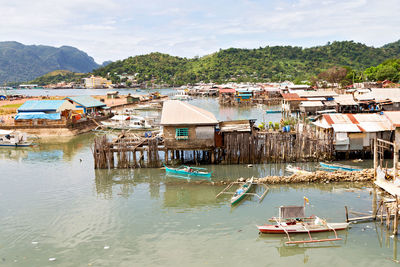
x,y
299,228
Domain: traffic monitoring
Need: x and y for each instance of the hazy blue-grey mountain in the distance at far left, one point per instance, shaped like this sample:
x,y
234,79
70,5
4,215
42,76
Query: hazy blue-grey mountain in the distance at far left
x,y
20,62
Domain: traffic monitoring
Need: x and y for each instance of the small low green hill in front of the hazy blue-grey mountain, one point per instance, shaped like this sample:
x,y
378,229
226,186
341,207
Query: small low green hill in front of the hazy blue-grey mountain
x,y
58,76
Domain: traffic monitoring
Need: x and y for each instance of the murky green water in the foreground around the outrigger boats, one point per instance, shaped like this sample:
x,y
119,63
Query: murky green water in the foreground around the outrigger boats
x,y
53,204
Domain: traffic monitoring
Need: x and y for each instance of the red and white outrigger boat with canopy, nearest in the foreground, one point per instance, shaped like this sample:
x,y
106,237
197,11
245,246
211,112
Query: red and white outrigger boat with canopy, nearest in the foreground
x,y
292,220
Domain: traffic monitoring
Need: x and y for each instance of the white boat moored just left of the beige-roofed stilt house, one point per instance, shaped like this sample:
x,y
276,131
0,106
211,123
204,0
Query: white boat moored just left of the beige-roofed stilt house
x,y
125,122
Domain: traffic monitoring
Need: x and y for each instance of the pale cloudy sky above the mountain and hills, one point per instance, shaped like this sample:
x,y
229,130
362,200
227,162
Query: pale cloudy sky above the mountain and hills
x,y
117,29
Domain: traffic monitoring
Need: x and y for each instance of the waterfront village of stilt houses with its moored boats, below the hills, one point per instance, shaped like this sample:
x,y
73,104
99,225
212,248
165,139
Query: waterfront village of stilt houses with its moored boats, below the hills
x,y
312,125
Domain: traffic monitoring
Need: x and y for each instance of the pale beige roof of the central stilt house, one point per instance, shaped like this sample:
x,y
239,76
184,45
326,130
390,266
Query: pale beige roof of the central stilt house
x,y
176,112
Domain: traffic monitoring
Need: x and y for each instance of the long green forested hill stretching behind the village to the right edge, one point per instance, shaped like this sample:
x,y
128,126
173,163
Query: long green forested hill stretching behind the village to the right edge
x,y
268,63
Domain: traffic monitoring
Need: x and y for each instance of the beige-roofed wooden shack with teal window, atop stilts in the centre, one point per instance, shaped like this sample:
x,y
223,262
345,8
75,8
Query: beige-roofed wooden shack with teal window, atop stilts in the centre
x,y
187,127
